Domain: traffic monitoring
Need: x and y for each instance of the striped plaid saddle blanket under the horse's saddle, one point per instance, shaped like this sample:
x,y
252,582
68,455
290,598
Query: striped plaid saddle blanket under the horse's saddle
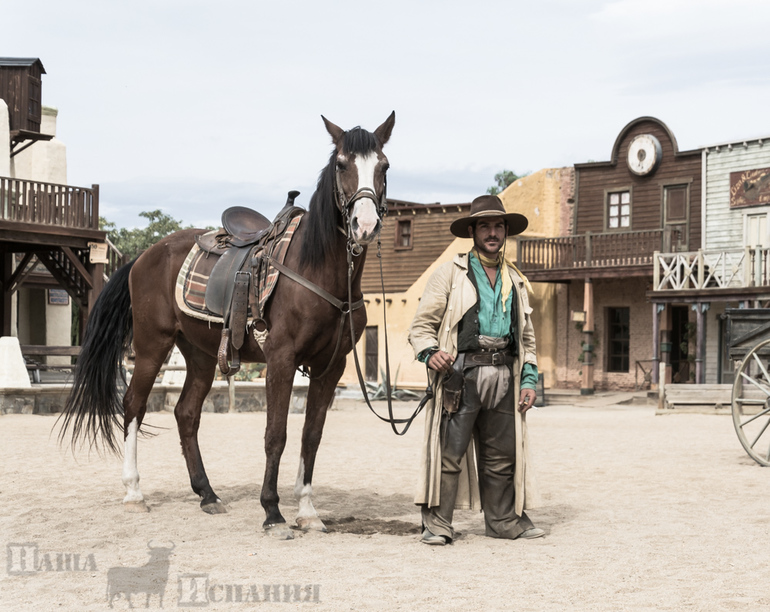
x,y
194,274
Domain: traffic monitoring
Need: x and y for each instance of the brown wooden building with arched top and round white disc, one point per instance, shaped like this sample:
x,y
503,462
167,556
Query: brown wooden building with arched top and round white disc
x,y
645,199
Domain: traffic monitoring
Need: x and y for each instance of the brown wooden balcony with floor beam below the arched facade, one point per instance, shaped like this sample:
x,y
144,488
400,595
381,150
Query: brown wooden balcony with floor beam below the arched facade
x,y
601,255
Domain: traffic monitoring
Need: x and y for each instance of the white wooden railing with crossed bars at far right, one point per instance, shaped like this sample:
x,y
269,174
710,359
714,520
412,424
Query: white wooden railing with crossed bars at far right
x,y
733,268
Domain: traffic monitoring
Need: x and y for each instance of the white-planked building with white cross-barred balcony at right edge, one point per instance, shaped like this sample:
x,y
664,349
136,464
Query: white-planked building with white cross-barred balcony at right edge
x,y
730,267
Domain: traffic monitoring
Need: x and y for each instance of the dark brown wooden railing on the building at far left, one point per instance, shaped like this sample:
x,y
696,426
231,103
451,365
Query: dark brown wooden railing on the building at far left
x,y
26,201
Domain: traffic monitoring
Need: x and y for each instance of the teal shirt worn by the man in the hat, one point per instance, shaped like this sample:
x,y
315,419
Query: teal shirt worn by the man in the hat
x,y
493,321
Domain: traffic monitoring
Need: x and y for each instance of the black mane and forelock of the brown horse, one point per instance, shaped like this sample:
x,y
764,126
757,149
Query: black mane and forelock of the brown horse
x,y
322,217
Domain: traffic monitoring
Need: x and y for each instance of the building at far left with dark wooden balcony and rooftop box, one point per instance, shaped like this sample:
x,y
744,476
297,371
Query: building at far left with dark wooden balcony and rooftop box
x,y
49,231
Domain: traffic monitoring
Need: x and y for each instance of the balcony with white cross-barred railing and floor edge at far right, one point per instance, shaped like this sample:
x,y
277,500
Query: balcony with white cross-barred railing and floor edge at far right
x,y
739,274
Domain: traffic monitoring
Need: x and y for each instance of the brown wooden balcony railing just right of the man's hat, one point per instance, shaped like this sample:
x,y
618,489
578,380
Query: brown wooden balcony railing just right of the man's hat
x,y
591,250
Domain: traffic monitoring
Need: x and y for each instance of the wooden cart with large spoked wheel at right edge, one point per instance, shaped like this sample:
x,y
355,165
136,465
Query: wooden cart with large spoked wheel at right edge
x,y
748,345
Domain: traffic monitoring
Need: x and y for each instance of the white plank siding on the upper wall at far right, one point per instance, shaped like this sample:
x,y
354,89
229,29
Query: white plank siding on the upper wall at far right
x,y
725,226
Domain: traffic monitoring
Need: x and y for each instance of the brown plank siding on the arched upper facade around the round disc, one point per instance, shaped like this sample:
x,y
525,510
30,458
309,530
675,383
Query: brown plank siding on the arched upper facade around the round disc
x,y
596,180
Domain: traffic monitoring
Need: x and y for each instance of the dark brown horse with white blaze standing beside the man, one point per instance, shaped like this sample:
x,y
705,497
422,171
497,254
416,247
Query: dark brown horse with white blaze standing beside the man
x,y
137,307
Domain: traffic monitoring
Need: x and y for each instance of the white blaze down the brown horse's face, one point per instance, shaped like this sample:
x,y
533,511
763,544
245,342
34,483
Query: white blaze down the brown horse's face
x,y
365,220
